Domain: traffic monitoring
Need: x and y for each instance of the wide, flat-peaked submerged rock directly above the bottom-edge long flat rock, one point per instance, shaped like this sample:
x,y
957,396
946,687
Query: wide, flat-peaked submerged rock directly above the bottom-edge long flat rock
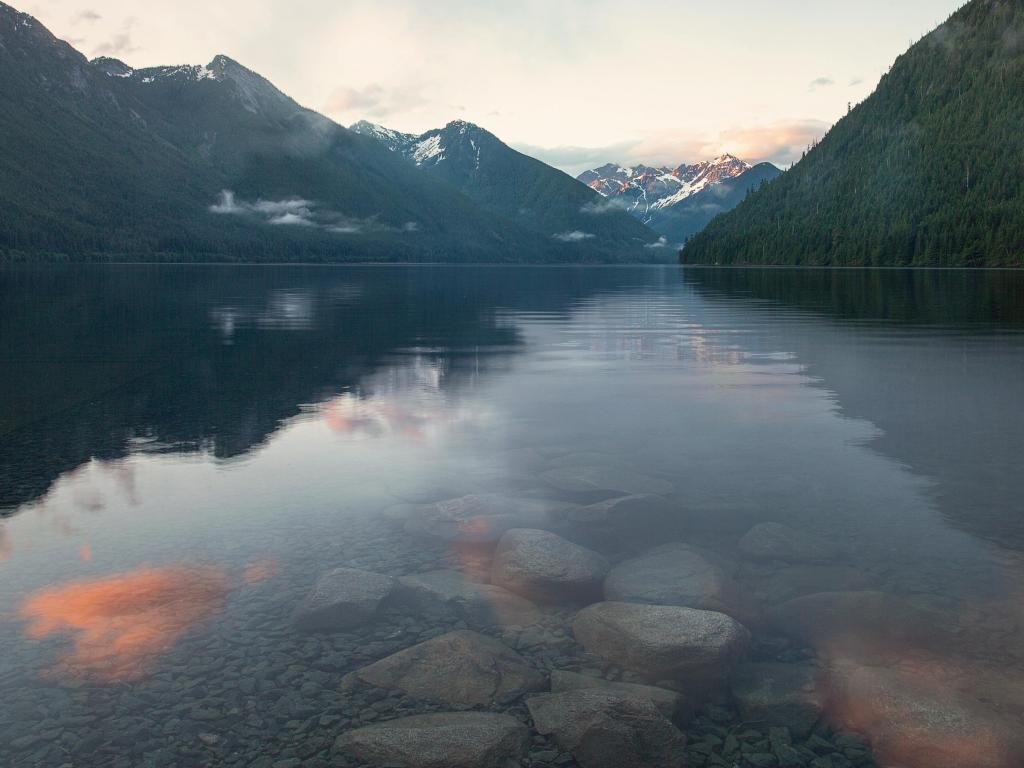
x,y
460,668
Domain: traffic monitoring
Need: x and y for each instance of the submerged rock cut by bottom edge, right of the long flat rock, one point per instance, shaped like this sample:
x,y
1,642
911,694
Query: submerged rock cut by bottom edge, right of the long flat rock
x,y
609,731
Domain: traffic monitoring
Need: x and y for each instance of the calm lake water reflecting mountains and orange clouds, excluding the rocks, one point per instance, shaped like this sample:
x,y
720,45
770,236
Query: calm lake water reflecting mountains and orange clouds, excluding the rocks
x,y
185,451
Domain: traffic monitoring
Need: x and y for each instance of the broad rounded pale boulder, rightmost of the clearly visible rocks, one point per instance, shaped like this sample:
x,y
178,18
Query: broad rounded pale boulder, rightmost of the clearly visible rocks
x,y
685,648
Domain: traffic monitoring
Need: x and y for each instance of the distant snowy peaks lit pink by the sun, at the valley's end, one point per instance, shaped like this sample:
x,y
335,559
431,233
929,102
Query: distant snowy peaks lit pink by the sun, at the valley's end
x,y
679,202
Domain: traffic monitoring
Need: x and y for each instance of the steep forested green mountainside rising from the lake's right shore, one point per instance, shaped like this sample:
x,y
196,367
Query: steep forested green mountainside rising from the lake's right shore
x,y
927,172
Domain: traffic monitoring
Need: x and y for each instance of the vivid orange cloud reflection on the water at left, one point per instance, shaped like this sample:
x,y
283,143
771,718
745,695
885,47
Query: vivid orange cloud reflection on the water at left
x,y
121,624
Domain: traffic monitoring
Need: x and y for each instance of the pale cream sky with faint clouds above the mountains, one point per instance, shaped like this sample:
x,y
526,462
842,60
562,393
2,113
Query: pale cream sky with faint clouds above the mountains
x,y
577,83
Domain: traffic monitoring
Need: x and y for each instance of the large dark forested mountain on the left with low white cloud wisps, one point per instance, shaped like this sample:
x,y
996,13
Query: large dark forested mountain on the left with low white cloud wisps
x,y
103,161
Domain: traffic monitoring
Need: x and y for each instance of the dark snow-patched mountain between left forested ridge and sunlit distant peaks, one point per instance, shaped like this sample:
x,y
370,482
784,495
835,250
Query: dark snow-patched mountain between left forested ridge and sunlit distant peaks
x,y
509,184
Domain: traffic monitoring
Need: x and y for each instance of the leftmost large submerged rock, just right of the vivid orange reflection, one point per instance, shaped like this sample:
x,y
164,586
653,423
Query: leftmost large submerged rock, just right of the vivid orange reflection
x,y
343,600
